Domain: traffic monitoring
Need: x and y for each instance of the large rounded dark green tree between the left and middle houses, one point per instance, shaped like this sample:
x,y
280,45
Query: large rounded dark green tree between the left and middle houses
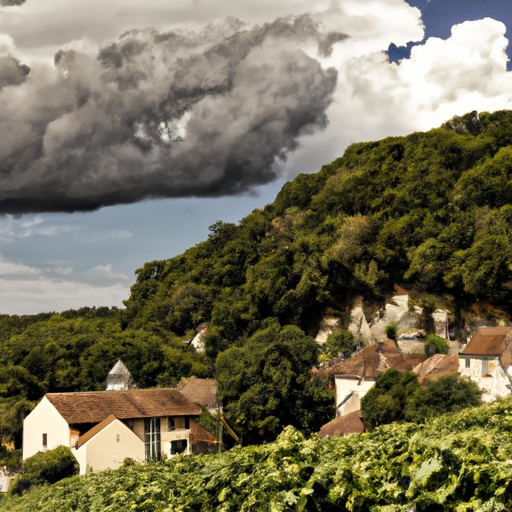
x,y
263,385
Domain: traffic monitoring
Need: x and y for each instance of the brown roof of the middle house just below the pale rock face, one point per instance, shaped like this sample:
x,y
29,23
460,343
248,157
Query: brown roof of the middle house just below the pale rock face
x,y
373,361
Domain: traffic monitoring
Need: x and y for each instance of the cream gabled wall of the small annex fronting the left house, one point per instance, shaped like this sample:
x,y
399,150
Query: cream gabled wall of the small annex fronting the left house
x,y
109,447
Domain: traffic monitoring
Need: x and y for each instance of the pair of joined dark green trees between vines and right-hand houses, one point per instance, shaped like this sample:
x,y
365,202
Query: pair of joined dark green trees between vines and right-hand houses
x,y
398,396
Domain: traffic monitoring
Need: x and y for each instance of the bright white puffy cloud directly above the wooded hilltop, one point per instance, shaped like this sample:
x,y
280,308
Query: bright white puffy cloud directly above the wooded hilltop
x,y
443,78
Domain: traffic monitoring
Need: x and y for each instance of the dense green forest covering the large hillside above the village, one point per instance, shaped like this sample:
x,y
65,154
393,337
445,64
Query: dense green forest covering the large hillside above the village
x,y
431,211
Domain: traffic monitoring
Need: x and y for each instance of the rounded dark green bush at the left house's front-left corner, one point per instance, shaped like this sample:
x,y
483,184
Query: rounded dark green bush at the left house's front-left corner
x,y
46,468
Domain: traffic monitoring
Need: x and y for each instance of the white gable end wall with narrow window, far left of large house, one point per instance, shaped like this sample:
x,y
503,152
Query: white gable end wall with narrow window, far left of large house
x,y
44,419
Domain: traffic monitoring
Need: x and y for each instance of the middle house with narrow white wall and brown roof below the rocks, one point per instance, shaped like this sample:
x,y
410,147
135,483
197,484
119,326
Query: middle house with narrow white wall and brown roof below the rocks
x,y
353,377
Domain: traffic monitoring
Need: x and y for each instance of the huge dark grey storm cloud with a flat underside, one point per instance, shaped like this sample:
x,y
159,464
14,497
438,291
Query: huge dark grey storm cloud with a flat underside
x,y
162,115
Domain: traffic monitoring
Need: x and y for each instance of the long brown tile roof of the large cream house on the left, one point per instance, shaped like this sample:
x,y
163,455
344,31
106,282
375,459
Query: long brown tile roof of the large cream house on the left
x,y
95,406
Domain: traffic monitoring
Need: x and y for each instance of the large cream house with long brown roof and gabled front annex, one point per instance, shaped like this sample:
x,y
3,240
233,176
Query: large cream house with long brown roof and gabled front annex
x,y
103,428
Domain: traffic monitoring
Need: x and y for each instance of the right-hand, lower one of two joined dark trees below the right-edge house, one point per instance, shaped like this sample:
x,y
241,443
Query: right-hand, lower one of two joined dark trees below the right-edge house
x,y
450,393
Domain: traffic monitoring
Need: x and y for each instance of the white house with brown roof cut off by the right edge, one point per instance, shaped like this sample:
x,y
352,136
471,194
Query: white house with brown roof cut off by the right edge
x,y
487,360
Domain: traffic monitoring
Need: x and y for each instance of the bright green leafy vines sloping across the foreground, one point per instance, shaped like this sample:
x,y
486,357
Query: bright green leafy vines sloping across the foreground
x,y
457,463
